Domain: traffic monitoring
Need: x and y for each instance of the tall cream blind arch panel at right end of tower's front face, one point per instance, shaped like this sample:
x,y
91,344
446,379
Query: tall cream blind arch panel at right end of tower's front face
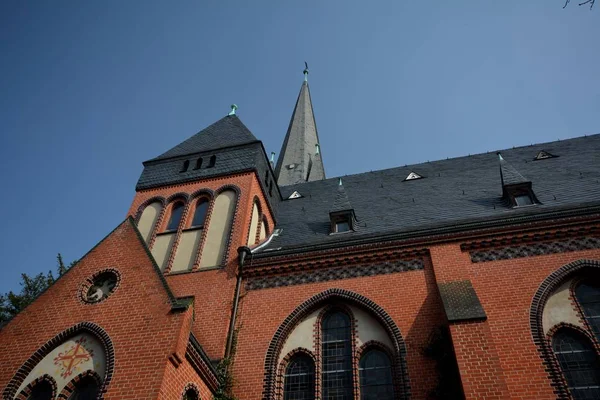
x,y
218,231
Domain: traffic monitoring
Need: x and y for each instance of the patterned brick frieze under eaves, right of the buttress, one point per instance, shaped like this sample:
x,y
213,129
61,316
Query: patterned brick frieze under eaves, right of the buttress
x,y
536,249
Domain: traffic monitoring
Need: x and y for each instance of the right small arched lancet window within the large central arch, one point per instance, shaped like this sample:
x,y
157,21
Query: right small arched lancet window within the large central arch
x,y
375,374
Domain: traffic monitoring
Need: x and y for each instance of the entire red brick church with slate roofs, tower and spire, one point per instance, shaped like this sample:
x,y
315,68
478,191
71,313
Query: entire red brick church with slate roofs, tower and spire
x,y
237,276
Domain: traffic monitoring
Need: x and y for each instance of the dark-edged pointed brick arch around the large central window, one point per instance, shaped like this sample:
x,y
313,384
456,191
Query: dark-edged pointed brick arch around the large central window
x,y
343,297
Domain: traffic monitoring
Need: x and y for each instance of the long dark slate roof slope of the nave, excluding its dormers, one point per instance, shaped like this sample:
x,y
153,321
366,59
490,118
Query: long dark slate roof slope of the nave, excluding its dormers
x,y
452,192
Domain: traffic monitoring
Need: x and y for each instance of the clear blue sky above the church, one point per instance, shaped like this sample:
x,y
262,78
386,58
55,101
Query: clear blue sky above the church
x,y
90,89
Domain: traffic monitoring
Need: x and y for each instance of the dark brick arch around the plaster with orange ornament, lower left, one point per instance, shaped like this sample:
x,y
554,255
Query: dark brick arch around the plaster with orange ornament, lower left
x,y
45,349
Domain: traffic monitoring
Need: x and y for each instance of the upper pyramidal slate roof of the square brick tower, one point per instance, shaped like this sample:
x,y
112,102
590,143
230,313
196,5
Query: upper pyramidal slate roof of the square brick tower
x,y
226,132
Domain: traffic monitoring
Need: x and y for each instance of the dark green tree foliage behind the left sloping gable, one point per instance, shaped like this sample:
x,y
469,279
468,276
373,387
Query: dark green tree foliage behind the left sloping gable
x,y
31,287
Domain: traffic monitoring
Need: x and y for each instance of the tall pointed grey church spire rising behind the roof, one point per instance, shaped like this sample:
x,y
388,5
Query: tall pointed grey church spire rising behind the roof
x,y
300,157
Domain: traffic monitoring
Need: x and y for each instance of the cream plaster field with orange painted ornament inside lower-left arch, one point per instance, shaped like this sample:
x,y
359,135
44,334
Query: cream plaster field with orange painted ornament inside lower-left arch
x,y
79,354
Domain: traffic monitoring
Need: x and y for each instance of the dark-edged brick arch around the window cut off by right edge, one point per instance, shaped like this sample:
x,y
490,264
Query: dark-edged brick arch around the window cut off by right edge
x,y
535,320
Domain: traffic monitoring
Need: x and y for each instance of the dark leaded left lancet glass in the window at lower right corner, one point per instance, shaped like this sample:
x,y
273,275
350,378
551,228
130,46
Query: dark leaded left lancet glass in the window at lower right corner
x,y
579,364
